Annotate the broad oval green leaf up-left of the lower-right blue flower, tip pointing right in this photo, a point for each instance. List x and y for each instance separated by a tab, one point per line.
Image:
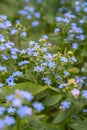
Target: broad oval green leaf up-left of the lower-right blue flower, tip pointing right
52	100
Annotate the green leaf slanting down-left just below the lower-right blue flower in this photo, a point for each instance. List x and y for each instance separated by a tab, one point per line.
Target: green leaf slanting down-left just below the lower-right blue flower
62	115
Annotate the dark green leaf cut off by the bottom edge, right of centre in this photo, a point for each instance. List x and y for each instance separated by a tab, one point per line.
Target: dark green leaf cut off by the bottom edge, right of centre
48	126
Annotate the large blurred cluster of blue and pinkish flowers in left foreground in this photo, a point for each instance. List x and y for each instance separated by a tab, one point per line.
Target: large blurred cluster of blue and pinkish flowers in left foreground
18	107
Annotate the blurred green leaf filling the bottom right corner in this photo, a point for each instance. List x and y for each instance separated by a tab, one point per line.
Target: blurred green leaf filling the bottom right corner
79	125
